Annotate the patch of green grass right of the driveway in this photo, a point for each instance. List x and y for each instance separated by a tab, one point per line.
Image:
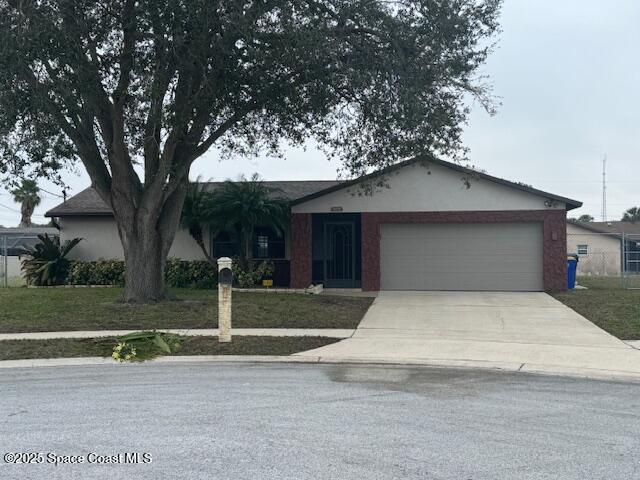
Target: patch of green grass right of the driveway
607	305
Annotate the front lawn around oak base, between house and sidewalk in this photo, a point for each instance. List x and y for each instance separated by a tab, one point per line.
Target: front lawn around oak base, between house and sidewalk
59	309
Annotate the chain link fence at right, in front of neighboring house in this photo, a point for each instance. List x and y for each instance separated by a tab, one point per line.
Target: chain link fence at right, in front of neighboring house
611	255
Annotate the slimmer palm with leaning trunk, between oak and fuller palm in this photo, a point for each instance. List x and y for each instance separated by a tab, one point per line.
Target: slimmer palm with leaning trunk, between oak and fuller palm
196	214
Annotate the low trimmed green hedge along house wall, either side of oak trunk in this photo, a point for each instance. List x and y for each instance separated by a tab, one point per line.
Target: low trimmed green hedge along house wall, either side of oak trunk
178	273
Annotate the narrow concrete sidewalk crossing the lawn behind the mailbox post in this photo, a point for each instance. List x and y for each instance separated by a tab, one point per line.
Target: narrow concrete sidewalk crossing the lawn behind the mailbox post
205	332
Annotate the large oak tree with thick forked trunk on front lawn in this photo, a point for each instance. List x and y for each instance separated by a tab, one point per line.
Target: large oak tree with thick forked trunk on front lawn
136	90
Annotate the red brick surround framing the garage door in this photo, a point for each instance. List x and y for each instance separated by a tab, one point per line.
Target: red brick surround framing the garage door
554	238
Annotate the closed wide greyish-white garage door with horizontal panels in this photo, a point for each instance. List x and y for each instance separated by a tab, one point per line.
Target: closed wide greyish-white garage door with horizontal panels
491	257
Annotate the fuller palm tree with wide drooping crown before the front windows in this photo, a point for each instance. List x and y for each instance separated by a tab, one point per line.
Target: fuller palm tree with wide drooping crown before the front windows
244	205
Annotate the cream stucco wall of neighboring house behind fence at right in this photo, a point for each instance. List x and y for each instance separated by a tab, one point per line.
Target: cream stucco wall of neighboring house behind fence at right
604	255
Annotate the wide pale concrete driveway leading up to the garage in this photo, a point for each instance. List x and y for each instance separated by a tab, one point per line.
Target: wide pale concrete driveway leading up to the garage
514	331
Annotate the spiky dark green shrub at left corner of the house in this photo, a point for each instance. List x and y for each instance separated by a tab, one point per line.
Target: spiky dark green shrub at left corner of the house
46	263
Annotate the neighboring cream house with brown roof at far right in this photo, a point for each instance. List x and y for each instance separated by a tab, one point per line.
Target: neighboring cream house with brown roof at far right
600	247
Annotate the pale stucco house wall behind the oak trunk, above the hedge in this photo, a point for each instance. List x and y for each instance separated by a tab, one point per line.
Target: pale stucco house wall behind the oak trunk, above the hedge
101	240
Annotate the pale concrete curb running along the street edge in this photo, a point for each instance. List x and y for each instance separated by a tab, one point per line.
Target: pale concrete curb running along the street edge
530	369
